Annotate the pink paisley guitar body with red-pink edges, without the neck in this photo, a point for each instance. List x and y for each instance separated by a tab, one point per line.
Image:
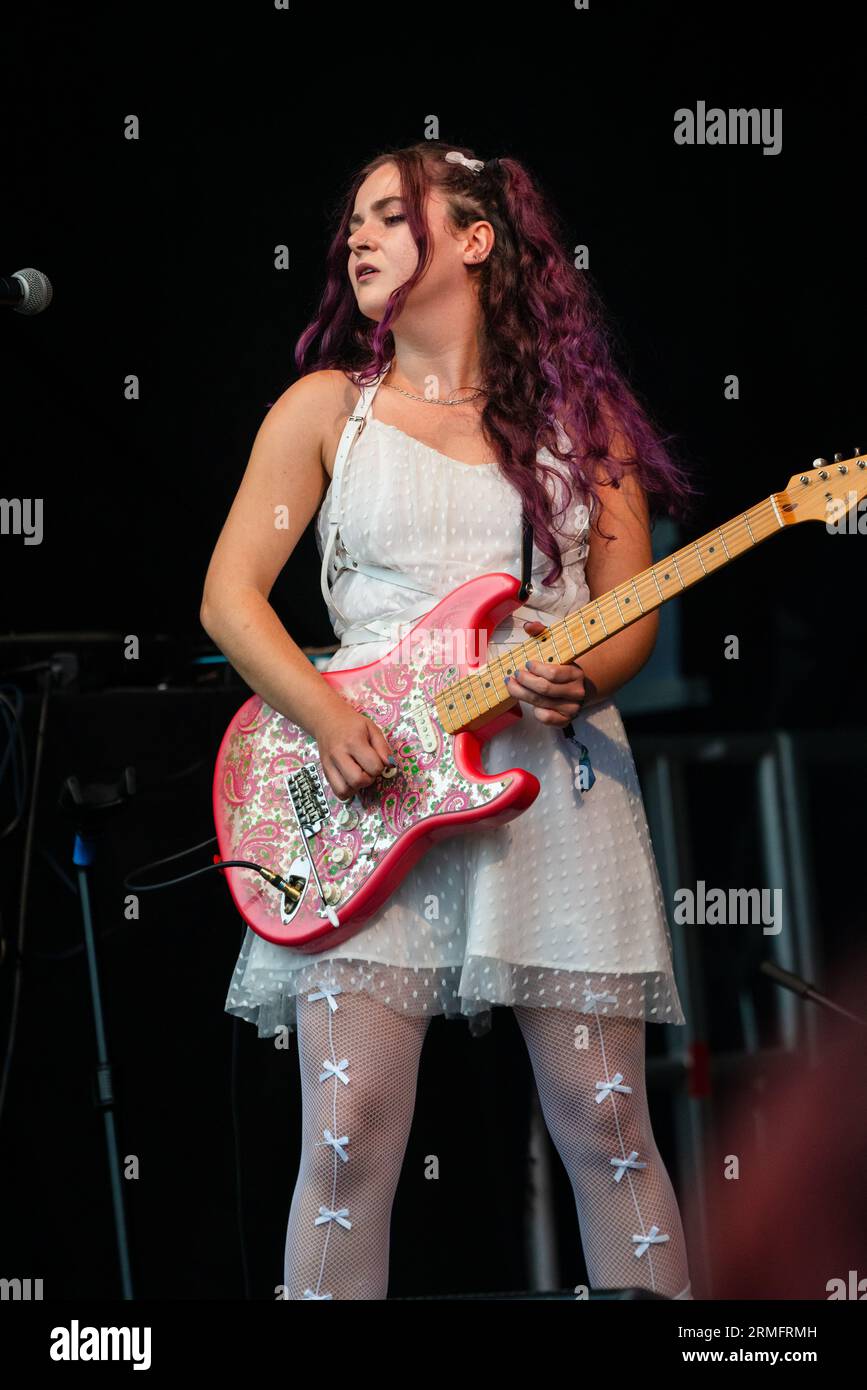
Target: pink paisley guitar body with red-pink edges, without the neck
273	803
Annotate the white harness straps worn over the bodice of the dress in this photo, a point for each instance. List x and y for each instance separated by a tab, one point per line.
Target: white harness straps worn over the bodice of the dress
337	558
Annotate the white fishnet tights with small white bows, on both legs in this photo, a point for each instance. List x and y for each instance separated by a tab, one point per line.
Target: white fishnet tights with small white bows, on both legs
359	1068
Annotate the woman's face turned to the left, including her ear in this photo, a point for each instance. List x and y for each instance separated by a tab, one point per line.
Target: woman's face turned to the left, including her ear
380	237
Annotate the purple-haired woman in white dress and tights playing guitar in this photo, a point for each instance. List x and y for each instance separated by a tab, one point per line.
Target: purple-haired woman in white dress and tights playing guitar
452	301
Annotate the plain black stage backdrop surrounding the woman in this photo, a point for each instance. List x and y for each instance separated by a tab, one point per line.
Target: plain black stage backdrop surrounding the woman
712	261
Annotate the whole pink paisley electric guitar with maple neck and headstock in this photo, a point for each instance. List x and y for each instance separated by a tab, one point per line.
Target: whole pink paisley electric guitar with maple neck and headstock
308	871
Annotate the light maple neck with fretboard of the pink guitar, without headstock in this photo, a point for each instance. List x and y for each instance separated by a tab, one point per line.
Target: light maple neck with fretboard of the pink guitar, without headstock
483	696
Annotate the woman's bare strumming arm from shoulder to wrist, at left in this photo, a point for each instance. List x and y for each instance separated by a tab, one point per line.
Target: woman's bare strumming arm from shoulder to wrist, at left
280	494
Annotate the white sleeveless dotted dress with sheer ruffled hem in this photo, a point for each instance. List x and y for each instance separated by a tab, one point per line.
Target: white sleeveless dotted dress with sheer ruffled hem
562	907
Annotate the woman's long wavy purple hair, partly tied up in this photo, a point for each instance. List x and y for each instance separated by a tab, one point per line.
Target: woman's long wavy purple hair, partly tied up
547	348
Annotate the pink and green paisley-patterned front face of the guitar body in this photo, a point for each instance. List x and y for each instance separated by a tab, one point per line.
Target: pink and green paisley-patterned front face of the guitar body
255	812
